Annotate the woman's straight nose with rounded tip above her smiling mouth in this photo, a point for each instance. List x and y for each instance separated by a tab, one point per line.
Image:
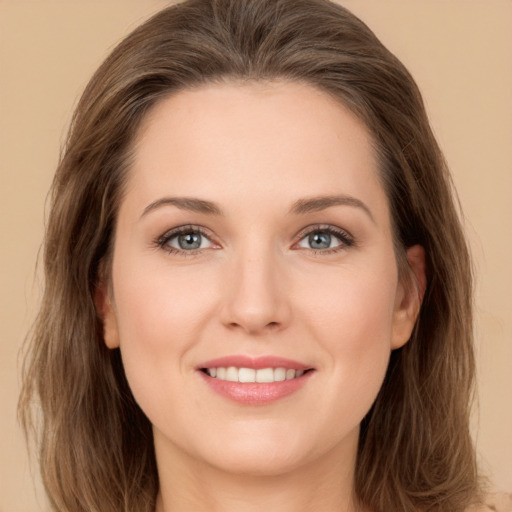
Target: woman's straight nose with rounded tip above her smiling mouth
255	298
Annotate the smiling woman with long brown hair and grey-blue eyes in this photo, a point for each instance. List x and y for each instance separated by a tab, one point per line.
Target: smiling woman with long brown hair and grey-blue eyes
258	290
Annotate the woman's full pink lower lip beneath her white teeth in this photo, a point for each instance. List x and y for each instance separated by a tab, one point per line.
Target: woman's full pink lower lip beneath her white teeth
254	393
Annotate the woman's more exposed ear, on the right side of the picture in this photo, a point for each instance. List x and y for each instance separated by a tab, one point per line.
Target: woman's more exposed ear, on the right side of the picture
409	297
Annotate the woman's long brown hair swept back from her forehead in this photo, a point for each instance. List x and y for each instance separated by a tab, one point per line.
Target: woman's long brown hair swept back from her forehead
95	444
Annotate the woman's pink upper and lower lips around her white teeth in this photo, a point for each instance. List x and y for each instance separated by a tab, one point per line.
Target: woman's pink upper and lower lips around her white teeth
255	393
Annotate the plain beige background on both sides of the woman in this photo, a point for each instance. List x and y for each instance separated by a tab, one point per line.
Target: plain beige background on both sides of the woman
460	52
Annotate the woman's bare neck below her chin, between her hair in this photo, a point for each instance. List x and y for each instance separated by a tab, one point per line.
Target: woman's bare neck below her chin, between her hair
187	485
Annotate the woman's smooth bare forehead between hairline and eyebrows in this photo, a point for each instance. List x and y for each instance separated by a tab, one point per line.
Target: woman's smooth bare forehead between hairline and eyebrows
254	140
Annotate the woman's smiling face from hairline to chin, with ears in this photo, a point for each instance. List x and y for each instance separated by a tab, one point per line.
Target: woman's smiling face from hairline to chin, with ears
255	234
